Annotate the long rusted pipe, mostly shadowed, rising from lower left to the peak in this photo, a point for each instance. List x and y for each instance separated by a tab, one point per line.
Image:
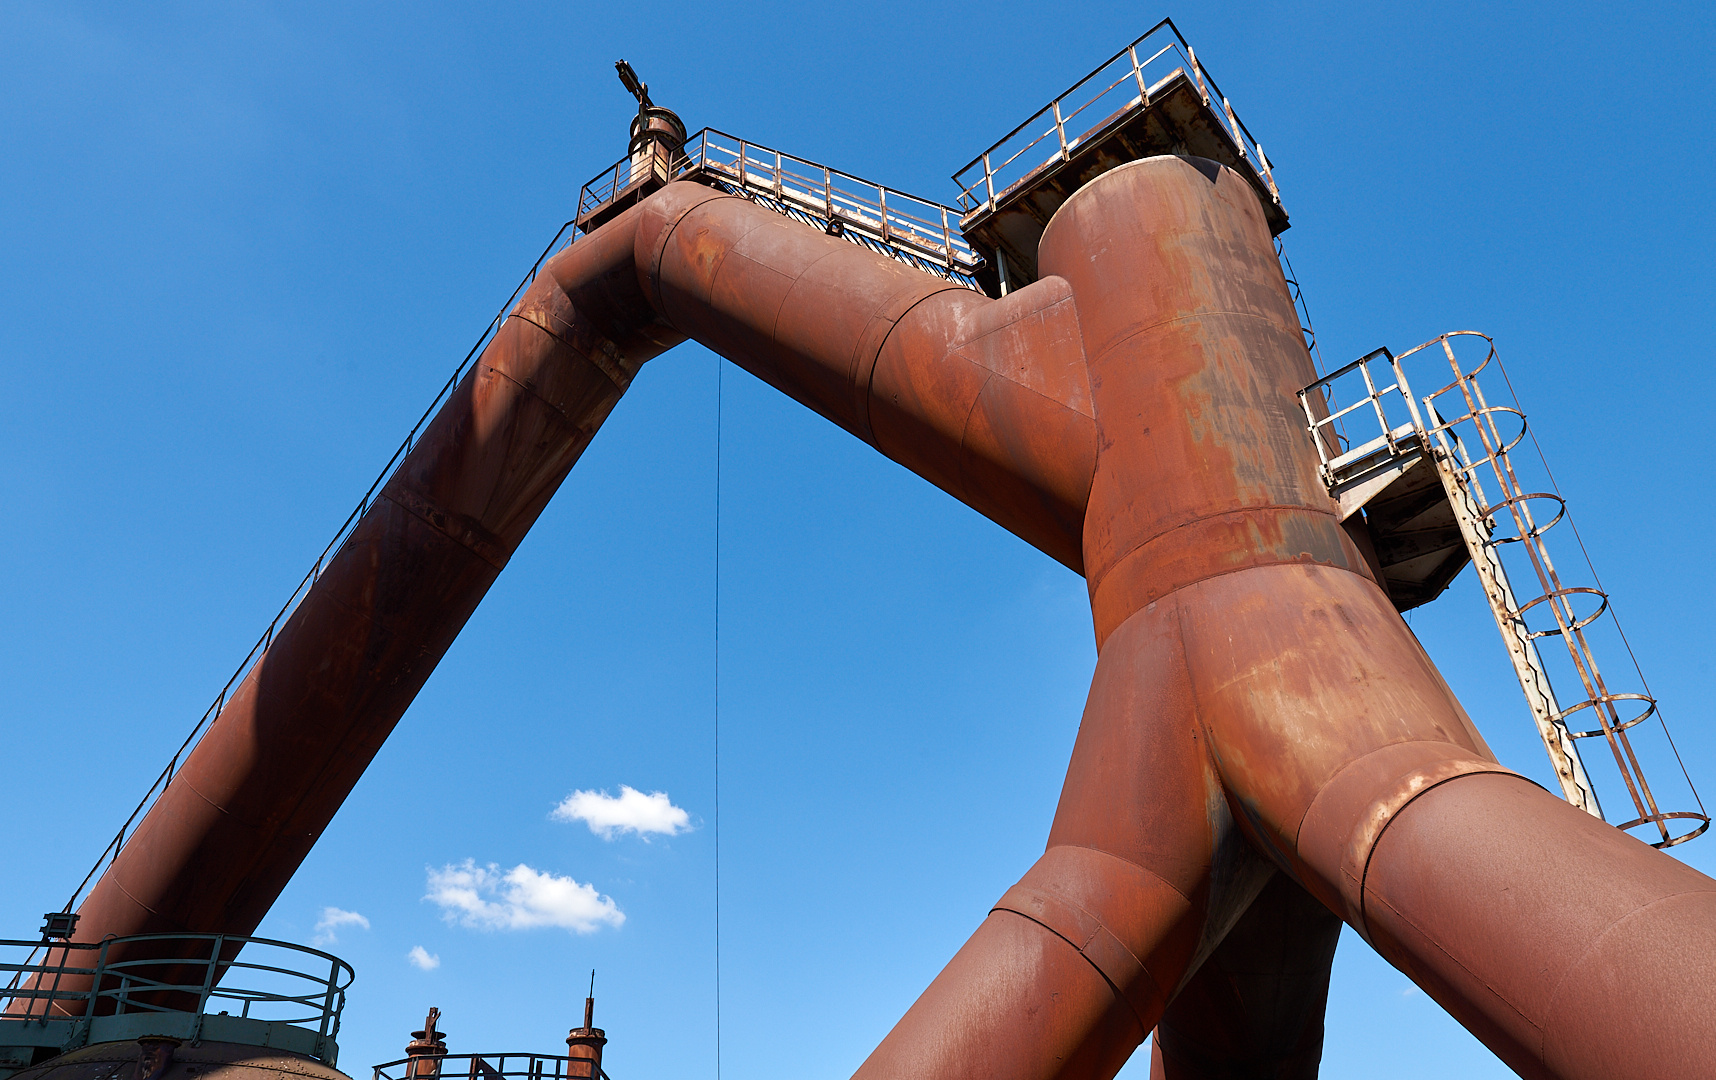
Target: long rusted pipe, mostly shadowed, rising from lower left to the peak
269	775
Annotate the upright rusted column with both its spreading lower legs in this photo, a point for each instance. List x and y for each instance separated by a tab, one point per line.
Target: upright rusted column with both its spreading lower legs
1255	683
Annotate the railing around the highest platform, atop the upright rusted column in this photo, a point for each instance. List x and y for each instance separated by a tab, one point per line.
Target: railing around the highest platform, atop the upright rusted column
1132	78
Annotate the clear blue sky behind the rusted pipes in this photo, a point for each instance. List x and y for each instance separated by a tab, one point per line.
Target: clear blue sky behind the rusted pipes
241	246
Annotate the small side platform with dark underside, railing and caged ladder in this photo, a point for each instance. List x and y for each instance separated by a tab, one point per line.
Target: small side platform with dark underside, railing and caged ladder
1434	485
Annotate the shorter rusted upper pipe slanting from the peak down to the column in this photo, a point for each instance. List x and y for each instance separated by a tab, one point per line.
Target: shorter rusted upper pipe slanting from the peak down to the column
984	399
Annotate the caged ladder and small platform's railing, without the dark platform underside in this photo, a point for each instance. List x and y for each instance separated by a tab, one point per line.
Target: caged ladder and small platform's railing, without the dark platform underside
1471	442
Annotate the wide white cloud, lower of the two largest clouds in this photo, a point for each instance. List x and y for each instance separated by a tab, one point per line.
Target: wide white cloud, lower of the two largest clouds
521	899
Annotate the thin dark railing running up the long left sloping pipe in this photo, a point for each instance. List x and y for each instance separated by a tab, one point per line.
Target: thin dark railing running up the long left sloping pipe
562	240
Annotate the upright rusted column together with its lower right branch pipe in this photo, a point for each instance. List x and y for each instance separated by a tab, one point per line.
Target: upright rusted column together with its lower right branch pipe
1339	746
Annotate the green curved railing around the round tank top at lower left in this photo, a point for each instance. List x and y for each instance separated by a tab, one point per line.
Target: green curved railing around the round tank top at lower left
255	978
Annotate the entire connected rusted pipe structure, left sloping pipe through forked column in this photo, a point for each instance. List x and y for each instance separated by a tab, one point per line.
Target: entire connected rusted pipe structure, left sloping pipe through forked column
1266	755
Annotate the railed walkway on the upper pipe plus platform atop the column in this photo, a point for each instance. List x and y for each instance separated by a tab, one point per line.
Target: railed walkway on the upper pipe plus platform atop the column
1151	99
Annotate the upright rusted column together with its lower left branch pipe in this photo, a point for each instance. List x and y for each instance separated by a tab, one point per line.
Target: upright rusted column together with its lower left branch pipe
1193	360
